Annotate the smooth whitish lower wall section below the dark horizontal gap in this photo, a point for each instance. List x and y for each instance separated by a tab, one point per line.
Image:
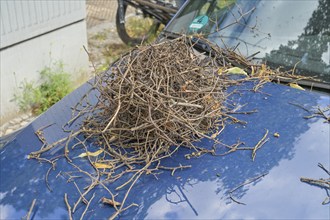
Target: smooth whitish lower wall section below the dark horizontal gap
25	60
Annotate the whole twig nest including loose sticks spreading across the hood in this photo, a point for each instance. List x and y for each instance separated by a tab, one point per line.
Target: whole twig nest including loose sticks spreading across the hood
150	103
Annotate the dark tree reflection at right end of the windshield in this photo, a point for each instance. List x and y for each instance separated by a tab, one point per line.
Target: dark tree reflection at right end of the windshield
310	51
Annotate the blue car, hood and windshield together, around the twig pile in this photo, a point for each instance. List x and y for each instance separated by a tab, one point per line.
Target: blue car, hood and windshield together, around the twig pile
288	177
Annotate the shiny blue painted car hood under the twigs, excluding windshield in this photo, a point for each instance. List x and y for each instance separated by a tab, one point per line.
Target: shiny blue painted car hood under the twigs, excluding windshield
201	191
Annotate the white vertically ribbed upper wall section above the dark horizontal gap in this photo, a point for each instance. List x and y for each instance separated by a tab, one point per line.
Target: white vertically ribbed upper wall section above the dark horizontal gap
23	19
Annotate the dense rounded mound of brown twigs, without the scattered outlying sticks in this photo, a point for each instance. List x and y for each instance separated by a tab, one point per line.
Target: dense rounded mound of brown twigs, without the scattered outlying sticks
158	96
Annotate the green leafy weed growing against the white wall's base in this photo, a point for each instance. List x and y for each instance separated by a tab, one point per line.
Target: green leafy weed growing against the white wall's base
53	86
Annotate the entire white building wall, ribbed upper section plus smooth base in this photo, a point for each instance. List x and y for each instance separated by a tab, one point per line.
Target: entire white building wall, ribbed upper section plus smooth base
35	34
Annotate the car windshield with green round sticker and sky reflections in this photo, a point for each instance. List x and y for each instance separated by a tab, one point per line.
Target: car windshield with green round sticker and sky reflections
290	34
